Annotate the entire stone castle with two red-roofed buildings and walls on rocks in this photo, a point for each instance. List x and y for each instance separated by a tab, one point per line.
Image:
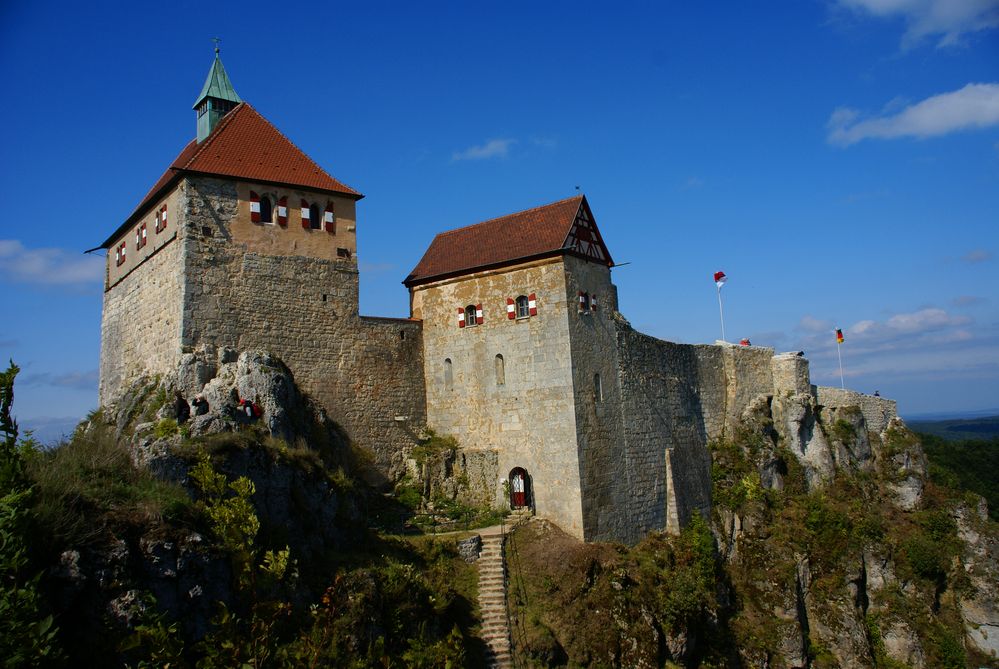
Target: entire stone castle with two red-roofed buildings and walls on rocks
514	345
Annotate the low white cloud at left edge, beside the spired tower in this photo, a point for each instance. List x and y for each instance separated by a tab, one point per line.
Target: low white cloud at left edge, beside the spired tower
48	266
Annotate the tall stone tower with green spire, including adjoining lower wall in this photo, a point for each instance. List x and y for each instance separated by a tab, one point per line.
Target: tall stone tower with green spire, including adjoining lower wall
244	242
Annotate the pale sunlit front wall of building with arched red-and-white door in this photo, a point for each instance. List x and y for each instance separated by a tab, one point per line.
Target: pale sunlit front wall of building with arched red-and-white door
529	418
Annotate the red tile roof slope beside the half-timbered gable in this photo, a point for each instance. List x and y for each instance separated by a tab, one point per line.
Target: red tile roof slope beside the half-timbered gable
515	237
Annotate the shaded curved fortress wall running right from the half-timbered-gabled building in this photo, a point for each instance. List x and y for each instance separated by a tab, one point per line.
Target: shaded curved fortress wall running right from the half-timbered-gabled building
674	399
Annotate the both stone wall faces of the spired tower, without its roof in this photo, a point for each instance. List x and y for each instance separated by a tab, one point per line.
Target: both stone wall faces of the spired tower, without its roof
220	281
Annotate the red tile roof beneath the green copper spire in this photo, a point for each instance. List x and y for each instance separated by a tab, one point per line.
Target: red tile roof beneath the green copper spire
245	146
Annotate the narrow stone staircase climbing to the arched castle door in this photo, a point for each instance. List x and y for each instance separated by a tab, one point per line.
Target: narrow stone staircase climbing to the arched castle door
492	601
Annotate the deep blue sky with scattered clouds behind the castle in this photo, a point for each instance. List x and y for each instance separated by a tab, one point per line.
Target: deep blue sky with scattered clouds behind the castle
838	159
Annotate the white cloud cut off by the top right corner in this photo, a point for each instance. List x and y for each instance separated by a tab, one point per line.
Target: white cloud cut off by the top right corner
950	19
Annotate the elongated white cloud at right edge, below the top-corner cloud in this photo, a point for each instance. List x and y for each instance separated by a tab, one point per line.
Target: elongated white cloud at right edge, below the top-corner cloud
974	106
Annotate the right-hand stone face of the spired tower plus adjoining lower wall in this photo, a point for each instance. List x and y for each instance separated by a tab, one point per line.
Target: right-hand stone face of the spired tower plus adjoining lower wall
366	372
